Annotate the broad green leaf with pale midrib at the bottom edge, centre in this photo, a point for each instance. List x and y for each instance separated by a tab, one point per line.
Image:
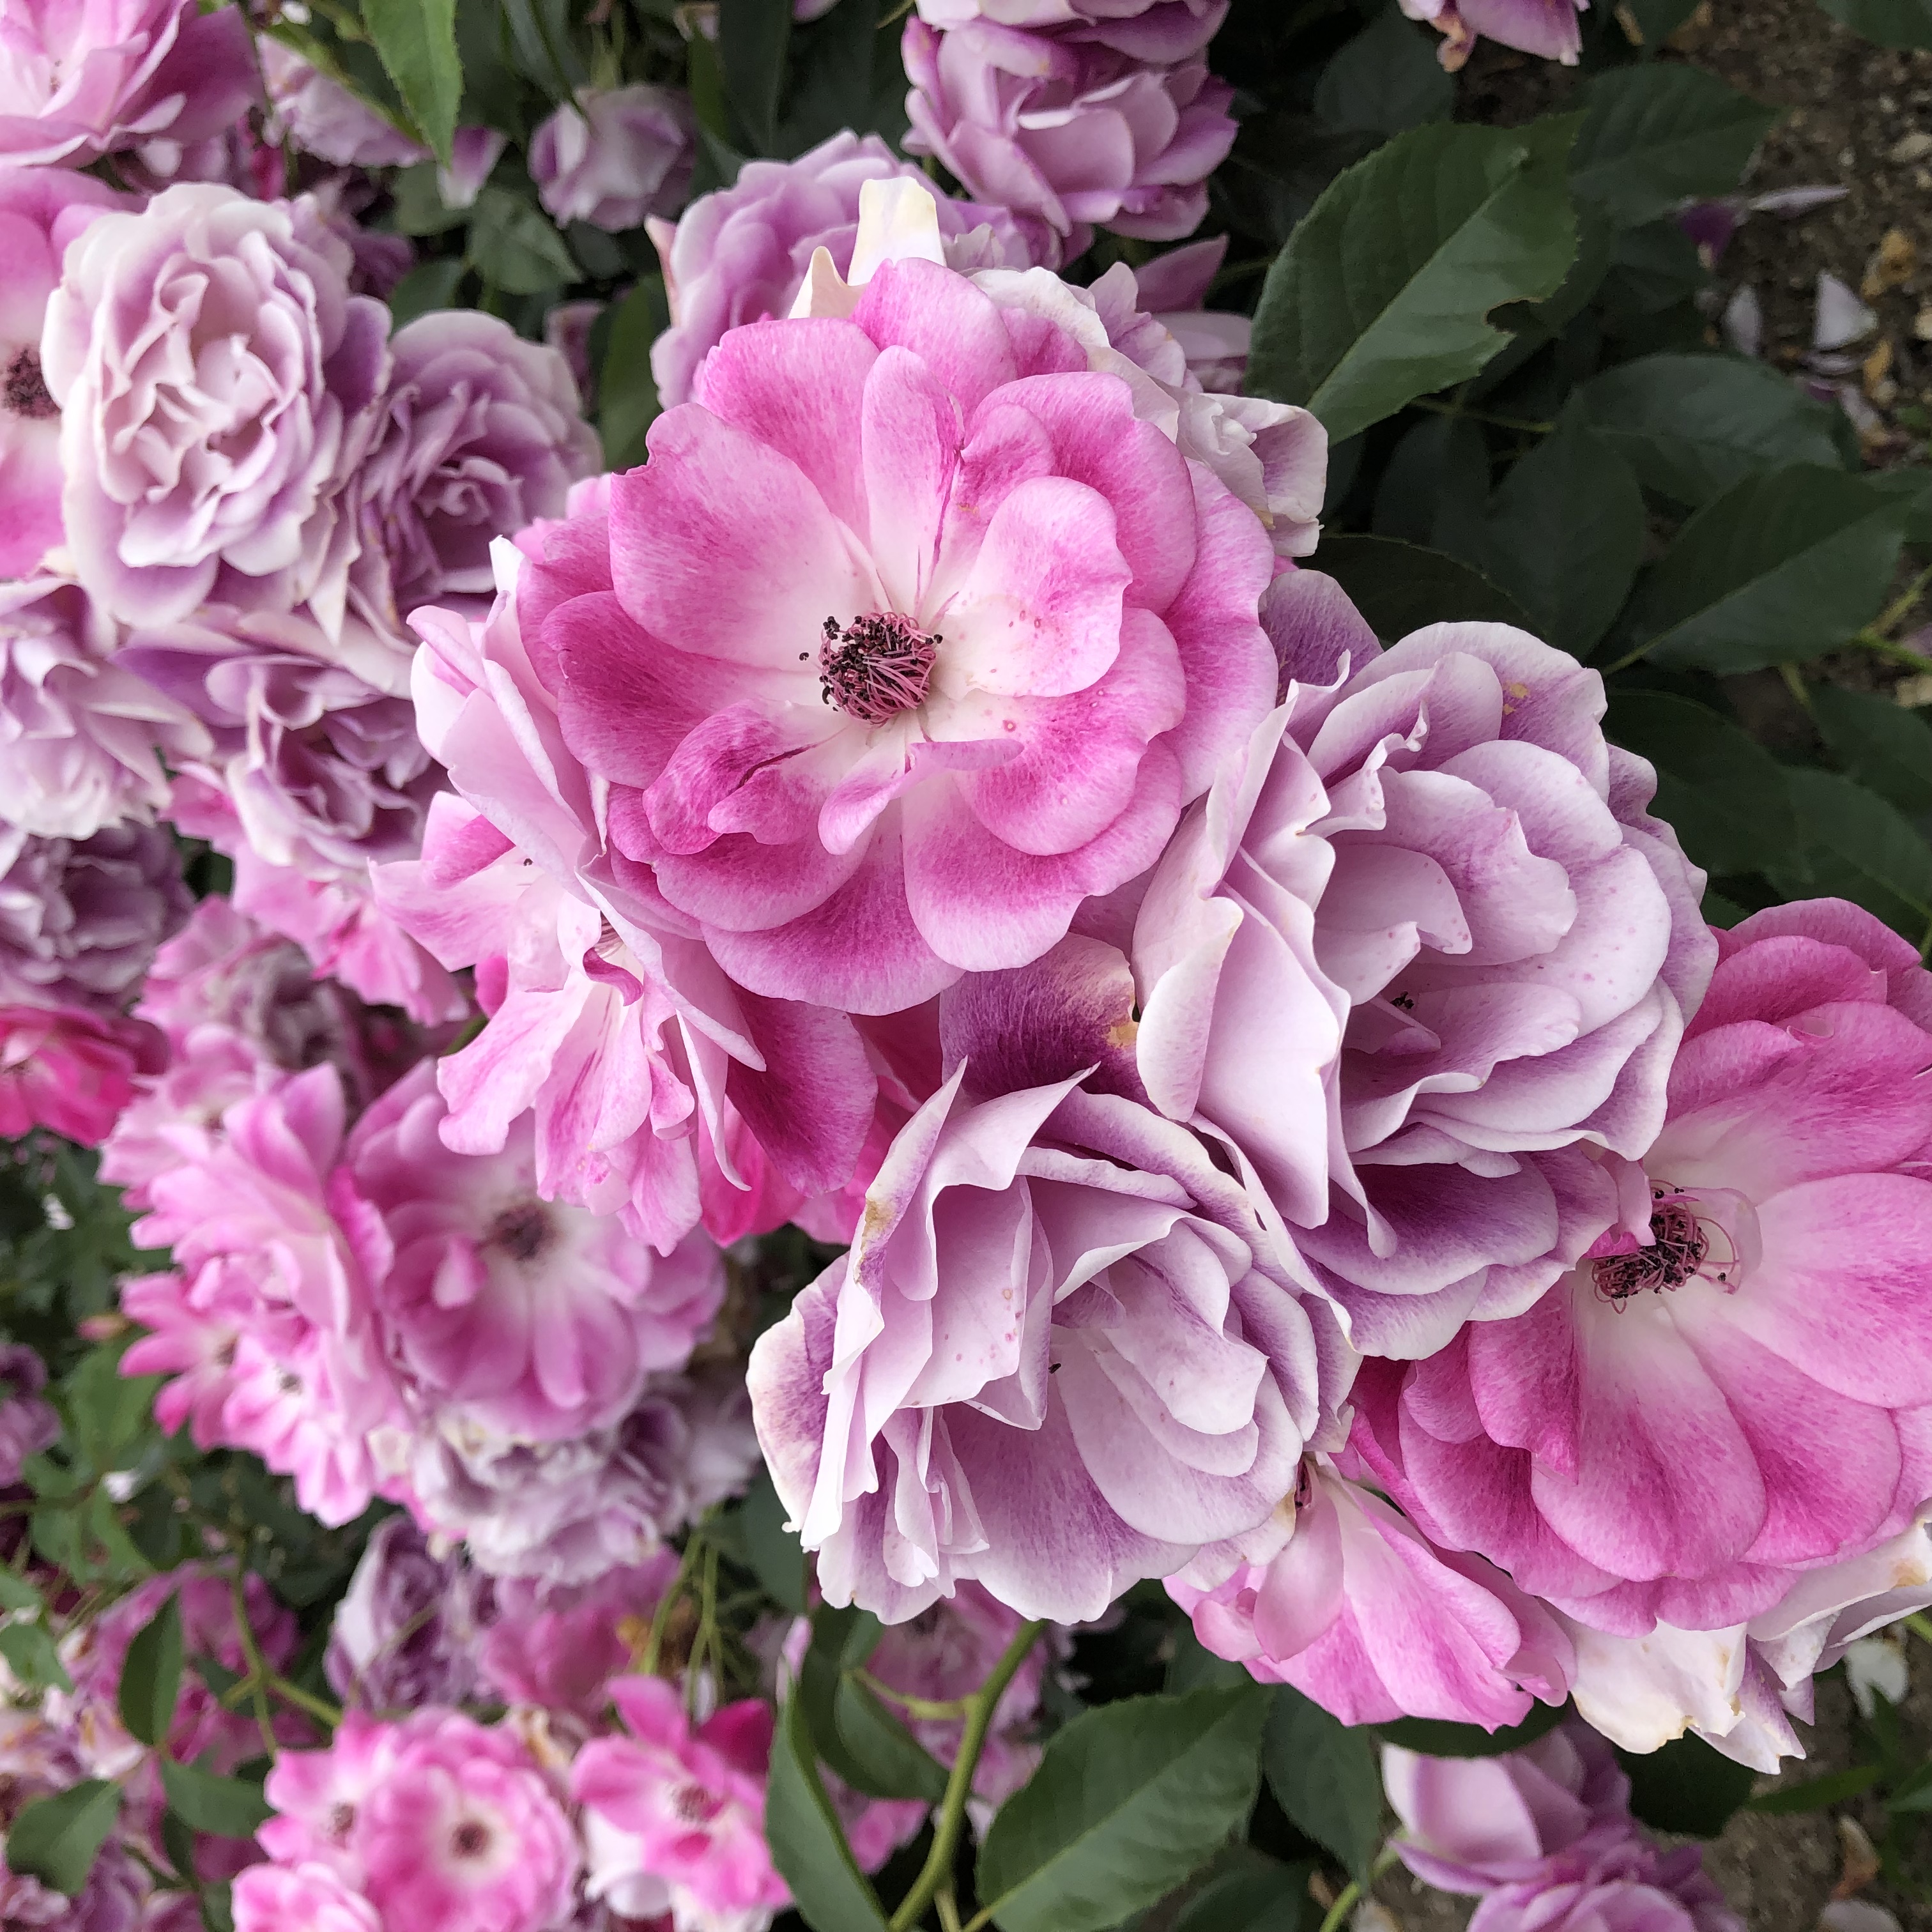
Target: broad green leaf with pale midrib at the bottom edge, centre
1127	1802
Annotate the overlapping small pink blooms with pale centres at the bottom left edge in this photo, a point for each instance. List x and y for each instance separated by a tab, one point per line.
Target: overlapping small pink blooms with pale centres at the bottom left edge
440	1823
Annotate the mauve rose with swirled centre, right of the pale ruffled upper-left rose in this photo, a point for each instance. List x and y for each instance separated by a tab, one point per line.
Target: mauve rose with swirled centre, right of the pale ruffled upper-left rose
480	436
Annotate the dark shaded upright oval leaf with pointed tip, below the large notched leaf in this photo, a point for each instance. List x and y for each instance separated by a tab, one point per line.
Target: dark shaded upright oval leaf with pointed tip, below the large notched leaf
1564	536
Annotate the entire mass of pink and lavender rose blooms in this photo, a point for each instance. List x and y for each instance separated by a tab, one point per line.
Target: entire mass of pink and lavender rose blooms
1253	1110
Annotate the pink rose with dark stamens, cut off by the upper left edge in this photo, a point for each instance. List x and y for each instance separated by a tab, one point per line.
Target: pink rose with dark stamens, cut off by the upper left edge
42	212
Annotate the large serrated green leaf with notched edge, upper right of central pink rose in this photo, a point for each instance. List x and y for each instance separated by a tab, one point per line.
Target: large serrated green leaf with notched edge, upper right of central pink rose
1380	295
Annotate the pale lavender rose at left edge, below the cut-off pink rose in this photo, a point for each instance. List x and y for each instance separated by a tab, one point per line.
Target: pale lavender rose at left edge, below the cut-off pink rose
82	737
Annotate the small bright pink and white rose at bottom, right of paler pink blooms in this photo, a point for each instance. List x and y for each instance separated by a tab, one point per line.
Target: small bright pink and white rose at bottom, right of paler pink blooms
675	1819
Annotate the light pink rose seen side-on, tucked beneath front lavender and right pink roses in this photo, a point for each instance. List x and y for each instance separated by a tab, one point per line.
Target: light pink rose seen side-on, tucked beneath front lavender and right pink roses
1340	1597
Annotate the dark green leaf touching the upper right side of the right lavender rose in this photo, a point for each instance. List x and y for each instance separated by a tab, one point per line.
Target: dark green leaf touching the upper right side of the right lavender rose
1719	787
